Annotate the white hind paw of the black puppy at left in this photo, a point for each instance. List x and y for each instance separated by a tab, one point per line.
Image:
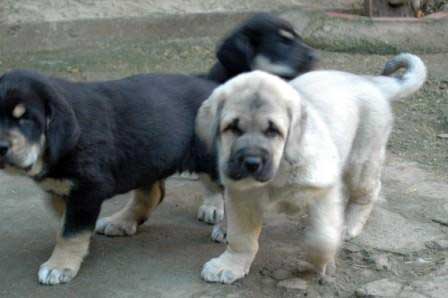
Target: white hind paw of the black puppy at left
115	226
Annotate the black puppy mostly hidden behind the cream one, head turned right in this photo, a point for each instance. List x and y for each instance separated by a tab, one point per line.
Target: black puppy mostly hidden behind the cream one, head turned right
263	42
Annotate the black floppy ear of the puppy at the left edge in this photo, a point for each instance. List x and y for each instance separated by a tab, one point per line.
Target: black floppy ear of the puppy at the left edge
62	133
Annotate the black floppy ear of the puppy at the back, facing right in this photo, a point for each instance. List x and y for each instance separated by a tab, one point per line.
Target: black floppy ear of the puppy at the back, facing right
236	53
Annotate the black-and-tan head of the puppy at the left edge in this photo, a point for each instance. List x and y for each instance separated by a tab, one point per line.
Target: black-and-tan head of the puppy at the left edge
36	124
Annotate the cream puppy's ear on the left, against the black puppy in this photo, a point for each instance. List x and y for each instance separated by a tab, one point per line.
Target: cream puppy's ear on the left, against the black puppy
207	121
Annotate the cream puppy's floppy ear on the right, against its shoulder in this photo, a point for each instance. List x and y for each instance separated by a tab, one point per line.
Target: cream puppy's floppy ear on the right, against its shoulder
297	115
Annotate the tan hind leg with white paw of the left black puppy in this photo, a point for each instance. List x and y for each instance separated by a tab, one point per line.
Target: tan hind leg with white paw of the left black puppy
135	213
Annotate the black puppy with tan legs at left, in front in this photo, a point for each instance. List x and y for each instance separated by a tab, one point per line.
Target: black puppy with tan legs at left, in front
86	142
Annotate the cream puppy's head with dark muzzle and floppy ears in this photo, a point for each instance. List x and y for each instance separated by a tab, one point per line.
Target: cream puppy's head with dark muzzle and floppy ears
249	121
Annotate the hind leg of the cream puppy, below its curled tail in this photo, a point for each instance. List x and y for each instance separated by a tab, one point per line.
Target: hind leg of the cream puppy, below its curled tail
364	185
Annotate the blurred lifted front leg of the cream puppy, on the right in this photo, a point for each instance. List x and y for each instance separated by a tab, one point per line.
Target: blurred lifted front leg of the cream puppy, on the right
323	236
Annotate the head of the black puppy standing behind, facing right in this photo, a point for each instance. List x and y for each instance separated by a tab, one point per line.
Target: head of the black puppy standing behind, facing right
266	42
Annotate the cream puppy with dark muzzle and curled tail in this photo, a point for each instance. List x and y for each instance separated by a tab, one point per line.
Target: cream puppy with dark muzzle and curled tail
299	145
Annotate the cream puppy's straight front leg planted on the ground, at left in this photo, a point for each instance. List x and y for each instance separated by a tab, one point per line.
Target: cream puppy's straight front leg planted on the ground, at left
244	221
